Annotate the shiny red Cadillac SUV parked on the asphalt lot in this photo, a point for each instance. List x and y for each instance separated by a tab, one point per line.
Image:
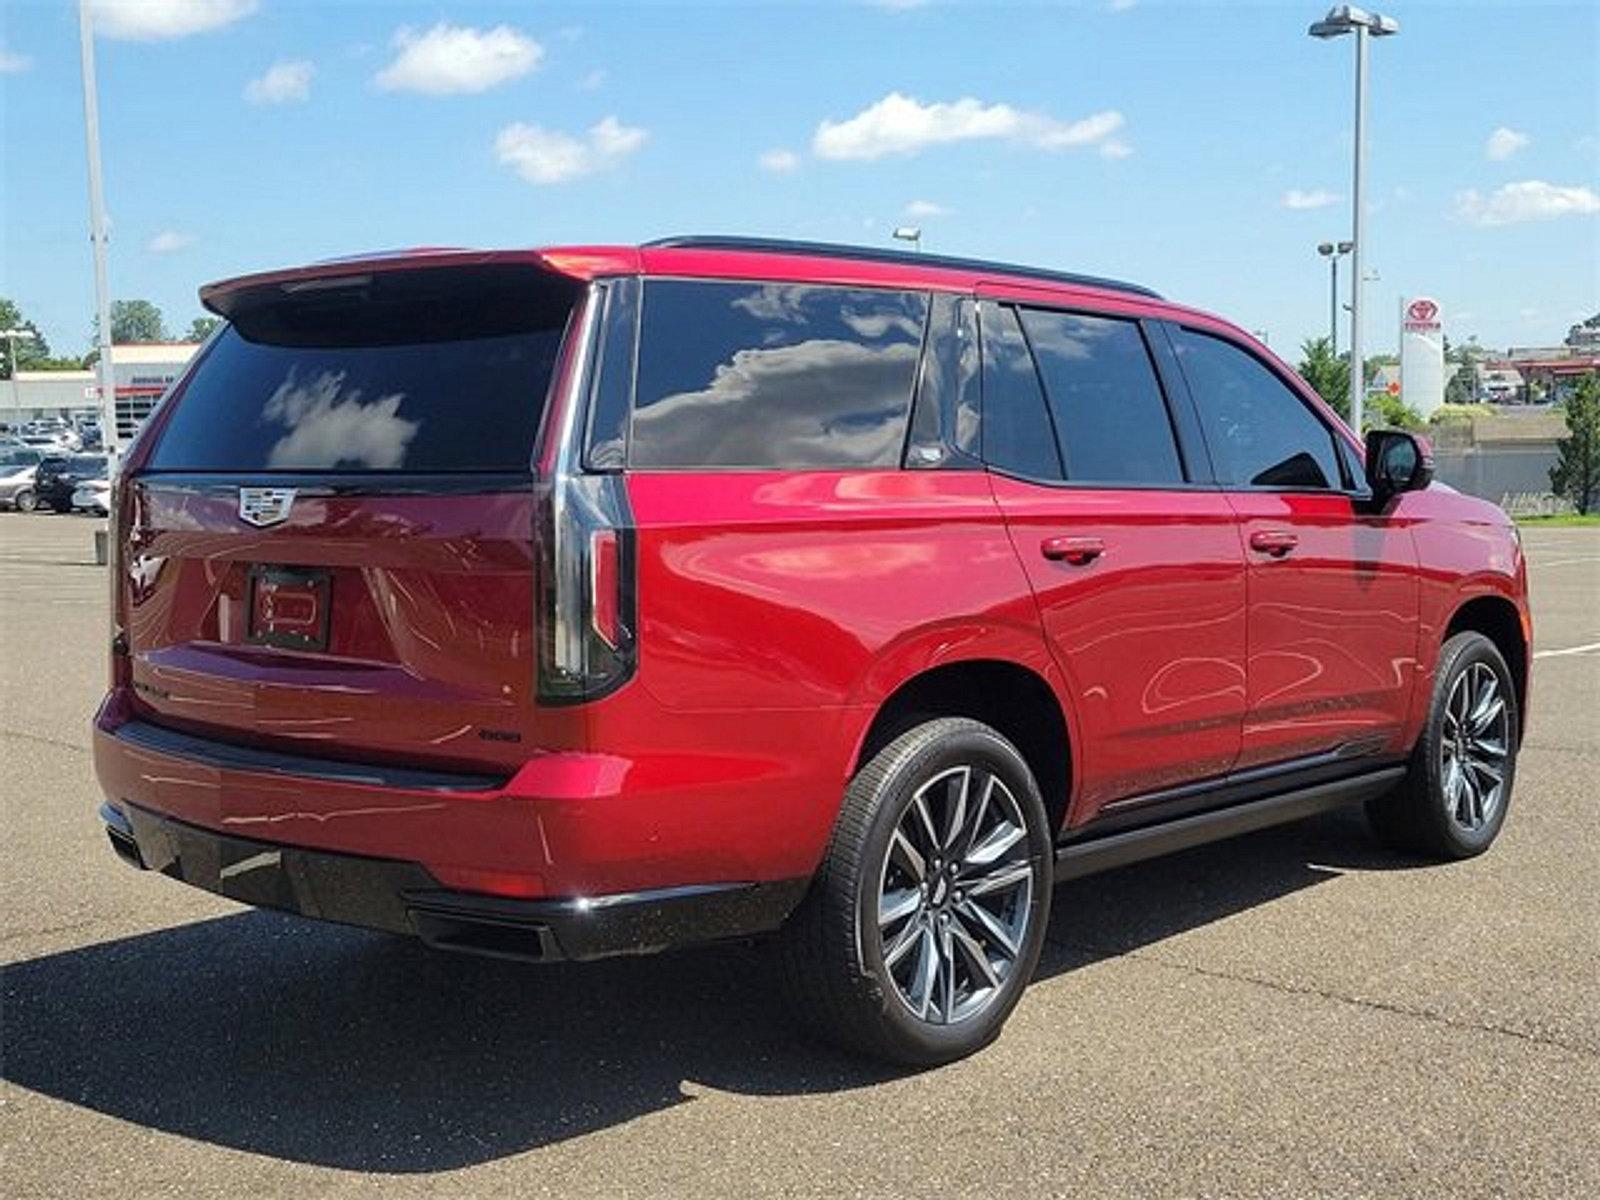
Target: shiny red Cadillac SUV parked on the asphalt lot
559	604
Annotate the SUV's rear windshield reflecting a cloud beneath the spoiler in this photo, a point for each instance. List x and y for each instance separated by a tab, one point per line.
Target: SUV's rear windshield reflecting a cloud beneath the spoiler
412	372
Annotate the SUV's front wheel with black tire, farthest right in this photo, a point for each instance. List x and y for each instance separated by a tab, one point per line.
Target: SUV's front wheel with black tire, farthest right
1417	815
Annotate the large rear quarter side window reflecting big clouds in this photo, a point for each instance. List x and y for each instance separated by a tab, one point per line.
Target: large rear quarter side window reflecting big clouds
774	375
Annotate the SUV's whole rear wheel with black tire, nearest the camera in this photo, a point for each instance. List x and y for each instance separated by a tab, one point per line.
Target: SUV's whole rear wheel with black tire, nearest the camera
833	951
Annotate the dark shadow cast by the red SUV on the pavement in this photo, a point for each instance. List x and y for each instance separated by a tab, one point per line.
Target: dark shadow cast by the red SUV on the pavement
362	1052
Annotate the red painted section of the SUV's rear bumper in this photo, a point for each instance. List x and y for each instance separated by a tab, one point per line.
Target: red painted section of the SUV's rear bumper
564	825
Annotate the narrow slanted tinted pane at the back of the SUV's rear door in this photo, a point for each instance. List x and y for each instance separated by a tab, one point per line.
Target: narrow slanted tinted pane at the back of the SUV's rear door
1017	431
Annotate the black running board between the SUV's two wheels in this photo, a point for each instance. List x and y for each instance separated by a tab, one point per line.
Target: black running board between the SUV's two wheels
1118	850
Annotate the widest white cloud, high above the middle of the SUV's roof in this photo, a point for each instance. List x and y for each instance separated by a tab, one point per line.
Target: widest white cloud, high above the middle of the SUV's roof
905	126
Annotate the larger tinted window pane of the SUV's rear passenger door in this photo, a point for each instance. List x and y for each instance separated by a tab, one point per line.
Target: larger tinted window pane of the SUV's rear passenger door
1106	399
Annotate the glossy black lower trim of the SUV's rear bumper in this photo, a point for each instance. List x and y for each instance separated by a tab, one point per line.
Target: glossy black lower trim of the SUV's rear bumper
406	898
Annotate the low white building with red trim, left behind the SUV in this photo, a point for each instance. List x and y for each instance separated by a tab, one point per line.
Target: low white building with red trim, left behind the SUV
143	372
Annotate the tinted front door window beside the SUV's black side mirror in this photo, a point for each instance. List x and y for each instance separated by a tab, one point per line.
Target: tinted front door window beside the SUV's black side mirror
1262	434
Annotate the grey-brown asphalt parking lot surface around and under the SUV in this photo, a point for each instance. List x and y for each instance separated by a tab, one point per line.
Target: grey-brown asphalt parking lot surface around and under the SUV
1294	1014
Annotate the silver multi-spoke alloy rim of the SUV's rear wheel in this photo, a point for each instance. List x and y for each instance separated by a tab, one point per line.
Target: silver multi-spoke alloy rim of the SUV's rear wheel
956	895
